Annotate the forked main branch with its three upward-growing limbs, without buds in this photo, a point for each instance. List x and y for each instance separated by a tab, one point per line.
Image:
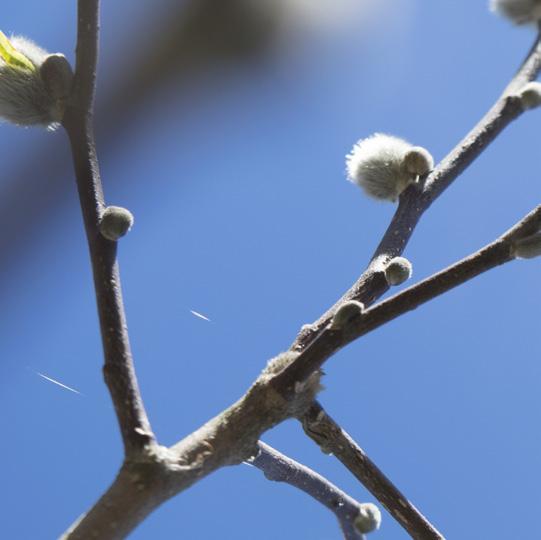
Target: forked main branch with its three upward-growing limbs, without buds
152	474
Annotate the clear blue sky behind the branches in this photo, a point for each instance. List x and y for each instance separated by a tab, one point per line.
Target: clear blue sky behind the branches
243	214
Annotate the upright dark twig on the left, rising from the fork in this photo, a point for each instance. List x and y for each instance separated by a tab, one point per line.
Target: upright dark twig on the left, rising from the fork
118	368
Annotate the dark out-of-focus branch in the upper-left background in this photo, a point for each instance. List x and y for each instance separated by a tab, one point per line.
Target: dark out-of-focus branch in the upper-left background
190	38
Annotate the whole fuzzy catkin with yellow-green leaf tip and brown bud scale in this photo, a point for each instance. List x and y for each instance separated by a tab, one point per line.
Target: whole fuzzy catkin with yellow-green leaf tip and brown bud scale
33	84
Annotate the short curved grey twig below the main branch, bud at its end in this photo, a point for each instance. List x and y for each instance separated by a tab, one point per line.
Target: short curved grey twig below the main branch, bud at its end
280	468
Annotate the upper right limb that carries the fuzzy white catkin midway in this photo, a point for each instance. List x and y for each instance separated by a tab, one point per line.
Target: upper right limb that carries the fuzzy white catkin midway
413	203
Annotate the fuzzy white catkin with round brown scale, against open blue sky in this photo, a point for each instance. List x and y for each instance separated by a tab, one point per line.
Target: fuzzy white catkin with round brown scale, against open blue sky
378	165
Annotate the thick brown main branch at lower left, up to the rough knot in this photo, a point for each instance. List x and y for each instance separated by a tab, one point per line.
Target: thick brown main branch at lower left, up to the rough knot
156	474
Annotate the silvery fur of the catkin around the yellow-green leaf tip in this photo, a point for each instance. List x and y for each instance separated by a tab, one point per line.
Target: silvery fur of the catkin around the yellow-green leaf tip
24	97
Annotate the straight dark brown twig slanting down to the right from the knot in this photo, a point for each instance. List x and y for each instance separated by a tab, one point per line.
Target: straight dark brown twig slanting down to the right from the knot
319	426
